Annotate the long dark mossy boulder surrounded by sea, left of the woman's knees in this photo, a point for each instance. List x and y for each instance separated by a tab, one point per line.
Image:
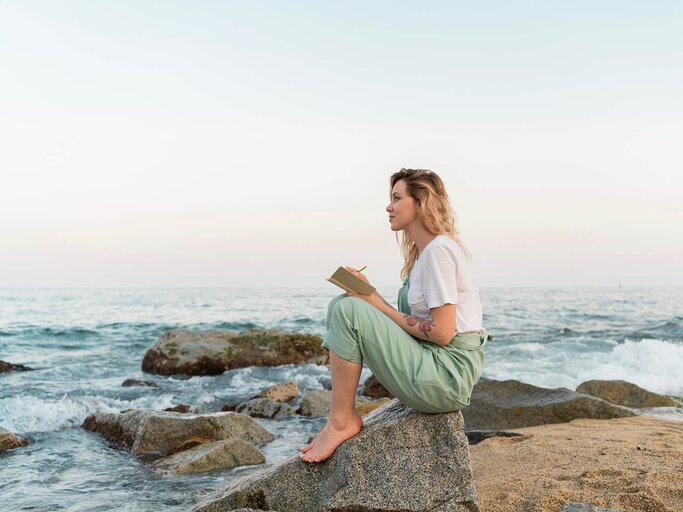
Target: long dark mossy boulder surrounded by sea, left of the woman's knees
213	352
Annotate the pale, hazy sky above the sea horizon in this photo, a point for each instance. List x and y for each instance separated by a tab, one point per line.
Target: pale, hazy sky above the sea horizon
228	143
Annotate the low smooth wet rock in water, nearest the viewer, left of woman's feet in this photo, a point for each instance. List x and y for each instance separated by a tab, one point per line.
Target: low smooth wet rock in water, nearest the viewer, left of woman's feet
210	457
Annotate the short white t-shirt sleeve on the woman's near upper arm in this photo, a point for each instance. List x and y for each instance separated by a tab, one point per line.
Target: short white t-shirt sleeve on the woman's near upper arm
439	277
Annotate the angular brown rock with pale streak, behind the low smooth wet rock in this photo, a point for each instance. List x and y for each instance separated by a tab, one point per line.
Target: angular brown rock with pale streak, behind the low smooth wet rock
154	433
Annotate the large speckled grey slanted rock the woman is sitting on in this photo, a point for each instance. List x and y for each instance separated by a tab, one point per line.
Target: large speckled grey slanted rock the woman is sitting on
402	460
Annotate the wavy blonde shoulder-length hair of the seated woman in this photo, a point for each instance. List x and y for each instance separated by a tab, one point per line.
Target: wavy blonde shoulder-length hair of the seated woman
435	212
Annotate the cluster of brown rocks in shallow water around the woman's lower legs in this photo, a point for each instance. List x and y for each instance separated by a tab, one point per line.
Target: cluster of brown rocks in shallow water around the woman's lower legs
178	441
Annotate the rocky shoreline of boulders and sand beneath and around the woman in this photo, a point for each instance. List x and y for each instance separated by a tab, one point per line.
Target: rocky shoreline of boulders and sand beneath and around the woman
515	447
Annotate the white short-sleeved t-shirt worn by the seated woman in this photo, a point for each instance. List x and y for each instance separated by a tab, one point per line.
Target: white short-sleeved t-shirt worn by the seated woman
441	275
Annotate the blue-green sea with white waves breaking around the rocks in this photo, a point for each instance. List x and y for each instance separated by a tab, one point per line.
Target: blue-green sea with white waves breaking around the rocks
83	343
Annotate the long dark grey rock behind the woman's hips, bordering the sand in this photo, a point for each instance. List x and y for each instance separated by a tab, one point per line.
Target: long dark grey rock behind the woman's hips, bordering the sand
512	404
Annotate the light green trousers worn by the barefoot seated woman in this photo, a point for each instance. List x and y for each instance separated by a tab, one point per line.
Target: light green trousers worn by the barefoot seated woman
421	374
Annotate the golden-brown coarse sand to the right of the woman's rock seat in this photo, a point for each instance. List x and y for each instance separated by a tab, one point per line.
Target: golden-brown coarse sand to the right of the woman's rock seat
633	464
